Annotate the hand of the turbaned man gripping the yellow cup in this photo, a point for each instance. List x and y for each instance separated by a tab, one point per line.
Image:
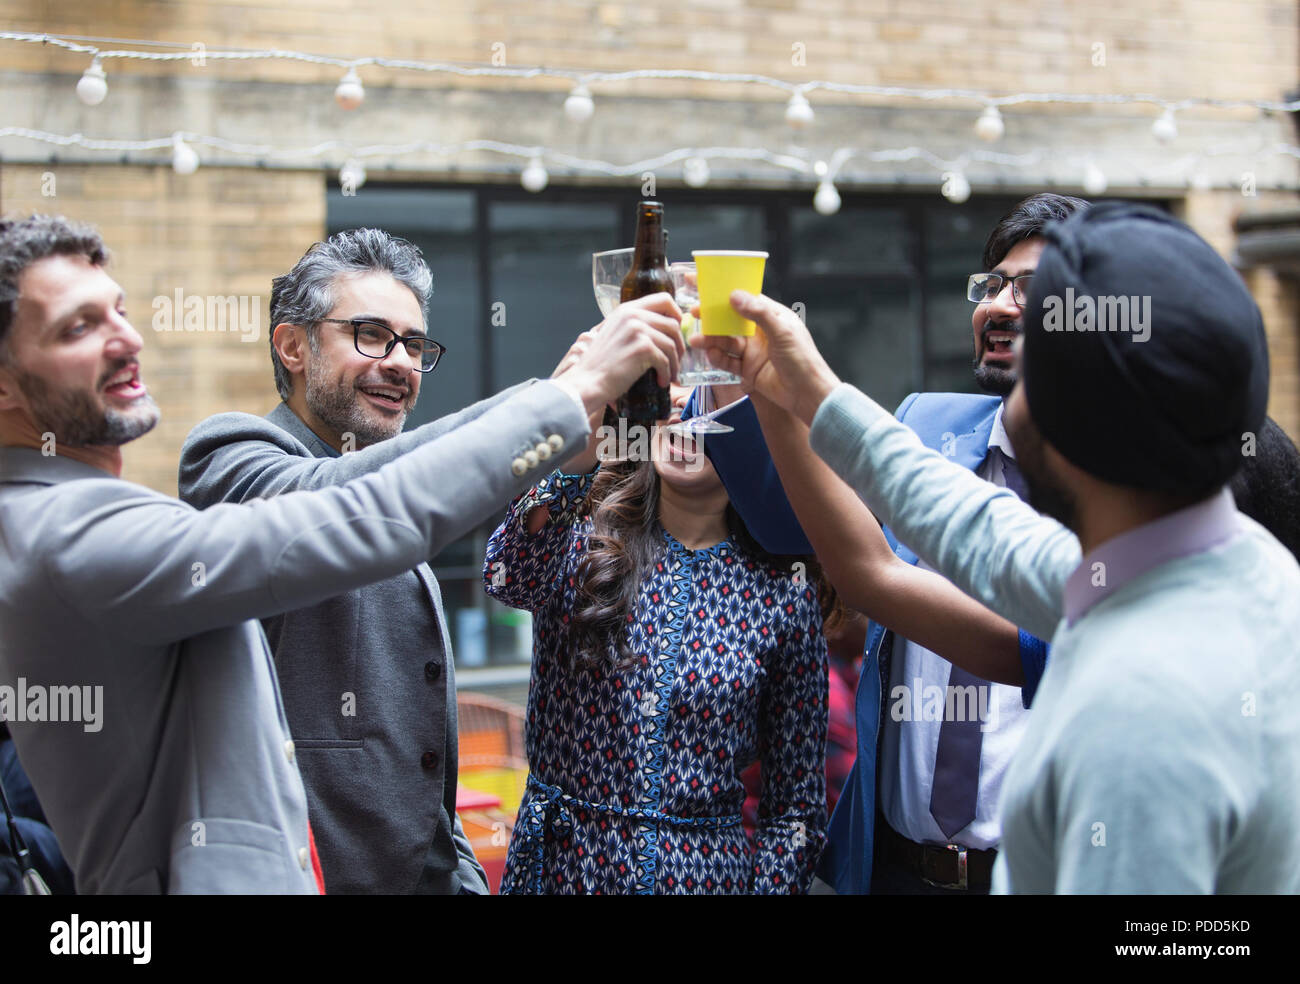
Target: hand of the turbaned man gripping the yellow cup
779	362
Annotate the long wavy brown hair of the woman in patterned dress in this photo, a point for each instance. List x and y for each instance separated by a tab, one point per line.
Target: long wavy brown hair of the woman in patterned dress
625	541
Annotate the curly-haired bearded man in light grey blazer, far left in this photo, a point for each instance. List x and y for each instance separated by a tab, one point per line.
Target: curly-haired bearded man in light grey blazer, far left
187	778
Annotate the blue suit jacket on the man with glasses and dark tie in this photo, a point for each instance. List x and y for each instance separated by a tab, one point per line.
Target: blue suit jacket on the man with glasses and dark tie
955	424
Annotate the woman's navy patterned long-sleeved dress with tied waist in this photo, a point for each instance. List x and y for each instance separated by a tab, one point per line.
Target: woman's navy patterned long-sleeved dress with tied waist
635	775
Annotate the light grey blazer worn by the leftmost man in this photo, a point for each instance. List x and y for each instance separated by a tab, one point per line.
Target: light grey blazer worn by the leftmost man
190	781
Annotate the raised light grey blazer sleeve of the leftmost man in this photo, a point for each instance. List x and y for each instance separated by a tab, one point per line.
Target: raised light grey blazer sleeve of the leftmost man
155	571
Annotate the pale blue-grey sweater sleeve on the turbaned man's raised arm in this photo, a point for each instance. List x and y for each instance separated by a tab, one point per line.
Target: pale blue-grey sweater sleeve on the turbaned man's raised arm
982	539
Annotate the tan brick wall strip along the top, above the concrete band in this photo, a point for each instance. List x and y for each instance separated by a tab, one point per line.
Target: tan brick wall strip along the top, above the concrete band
1221	49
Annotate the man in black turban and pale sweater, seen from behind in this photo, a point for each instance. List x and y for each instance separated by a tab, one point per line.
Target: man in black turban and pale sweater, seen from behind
1164	752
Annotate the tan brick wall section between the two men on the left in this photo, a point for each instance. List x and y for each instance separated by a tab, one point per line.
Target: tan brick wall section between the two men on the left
220	232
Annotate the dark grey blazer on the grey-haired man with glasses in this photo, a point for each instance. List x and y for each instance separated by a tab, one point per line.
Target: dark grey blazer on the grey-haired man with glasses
369	677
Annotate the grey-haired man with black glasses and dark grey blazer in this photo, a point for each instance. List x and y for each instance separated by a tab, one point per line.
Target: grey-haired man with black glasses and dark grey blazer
367	675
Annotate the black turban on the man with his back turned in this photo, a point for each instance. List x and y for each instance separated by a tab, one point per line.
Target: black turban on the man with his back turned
1145	358
